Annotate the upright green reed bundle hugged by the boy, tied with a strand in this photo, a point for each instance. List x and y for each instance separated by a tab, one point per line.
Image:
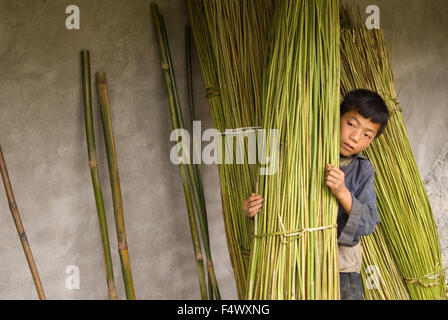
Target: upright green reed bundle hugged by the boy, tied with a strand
294	252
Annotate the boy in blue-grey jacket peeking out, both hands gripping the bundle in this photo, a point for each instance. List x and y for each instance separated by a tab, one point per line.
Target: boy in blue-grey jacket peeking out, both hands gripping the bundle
364	117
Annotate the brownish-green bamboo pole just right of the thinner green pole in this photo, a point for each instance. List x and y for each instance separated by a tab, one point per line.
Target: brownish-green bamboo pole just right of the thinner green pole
103	98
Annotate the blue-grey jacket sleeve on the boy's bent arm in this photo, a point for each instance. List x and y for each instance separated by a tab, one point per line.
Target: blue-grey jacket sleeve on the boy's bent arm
364	214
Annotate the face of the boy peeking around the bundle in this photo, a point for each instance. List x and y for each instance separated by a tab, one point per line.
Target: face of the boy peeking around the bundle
357	133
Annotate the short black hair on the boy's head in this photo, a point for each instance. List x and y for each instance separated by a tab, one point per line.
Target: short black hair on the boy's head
368	104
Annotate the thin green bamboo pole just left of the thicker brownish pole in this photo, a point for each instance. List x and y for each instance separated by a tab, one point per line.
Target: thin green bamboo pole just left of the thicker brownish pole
93	164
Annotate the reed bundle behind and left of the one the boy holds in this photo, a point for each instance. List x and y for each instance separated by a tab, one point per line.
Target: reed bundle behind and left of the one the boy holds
231	40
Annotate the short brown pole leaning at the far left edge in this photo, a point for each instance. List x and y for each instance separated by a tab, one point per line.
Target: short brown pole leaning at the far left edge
19	226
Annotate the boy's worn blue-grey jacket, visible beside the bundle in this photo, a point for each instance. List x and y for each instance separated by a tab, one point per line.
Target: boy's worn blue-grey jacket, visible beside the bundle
359	180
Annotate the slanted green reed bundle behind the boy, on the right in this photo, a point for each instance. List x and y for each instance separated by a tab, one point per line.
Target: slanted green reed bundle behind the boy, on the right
407	221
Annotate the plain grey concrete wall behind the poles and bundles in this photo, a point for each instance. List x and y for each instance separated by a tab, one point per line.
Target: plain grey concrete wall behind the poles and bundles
43	138
